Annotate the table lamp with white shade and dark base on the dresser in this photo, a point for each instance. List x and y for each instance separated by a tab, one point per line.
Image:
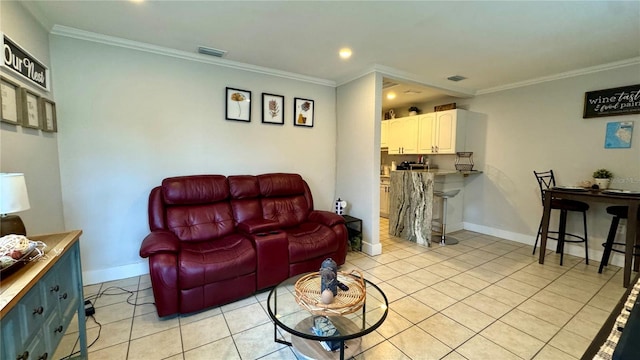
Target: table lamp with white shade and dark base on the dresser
13	198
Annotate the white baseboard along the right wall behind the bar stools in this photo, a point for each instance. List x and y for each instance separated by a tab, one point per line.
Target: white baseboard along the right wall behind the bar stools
595	244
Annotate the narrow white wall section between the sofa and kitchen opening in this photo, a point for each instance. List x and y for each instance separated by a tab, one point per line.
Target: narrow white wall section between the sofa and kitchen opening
358	161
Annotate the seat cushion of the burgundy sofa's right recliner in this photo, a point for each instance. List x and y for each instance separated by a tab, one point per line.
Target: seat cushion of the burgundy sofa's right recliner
309	241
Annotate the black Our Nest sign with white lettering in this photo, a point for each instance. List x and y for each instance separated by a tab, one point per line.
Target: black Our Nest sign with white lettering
23	63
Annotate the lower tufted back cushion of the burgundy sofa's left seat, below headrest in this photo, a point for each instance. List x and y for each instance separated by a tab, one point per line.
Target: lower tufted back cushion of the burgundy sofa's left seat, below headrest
200	222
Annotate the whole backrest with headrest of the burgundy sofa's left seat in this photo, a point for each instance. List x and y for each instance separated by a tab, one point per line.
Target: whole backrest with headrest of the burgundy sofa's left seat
197	207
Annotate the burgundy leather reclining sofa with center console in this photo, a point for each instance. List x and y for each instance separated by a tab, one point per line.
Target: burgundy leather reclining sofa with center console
215	239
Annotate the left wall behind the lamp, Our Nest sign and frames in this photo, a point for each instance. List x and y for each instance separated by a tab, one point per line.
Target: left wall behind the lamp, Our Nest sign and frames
31	151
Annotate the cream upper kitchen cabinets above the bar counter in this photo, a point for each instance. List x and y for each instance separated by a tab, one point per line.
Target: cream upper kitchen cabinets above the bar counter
441	132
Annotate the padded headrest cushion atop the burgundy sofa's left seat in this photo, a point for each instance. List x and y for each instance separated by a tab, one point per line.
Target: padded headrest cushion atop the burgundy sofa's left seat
196	189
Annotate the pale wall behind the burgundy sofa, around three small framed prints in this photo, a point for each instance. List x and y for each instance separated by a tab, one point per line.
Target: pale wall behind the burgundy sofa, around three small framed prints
128	119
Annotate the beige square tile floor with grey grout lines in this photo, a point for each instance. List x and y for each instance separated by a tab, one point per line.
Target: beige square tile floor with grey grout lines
484	298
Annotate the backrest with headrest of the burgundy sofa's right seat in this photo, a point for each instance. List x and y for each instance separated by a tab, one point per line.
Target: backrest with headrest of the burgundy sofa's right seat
285	198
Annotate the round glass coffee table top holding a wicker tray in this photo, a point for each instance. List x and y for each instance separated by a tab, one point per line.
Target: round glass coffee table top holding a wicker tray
297	320
